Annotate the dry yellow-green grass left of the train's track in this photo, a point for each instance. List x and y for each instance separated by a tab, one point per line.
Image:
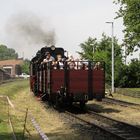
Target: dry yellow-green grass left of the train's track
50	122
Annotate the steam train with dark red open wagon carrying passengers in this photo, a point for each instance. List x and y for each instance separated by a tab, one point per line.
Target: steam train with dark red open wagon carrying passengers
65	86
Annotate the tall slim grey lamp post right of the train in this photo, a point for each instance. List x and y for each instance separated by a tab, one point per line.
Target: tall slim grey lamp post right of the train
112	23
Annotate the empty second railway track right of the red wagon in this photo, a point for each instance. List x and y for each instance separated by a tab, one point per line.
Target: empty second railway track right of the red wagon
121	103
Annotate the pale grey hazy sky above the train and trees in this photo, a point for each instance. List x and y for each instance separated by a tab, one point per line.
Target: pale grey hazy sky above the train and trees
72	22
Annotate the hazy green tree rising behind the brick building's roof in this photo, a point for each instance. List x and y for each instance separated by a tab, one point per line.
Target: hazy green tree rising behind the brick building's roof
7	53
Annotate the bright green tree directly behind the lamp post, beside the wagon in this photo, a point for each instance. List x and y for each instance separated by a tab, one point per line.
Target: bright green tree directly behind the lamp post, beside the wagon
101	51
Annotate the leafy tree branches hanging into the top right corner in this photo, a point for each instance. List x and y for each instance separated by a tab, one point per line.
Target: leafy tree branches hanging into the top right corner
130	12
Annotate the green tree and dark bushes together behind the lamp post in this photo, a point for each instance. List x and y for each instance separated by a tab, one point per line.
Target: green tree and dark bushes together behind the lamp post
125	75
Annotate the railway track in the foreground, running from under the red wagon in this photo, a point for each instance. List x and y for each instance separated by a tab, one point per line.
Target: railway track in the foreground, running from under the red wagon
117	129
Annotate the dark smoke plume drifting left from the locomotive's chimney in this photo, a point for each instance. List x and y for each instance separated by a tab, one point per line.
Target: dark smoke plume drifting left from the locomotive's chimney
31	28
